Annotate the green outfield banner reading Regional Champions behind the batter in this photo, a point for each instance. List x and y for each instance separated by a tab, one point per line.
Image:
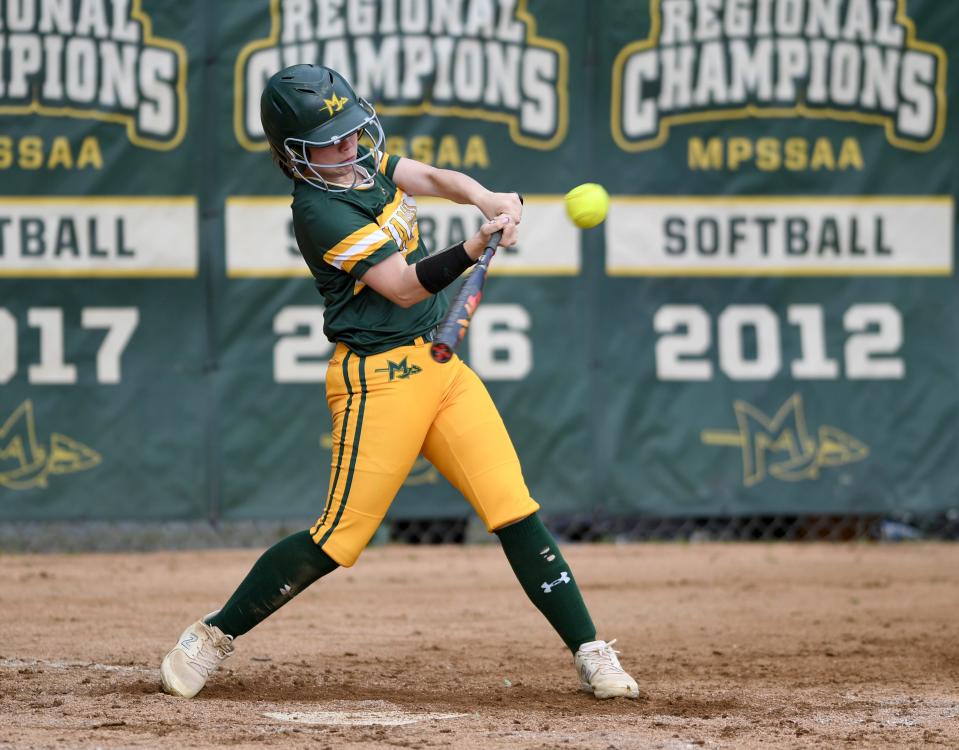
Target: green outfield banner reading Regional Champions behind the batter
763	325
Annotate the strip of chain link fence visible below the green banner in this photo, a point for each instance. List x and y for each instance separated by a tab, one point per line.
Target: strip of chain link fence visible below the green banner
115	536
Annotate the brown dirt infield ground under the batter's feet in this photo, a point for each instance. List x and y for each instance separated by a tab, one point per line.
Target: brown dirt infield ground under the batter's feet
733	646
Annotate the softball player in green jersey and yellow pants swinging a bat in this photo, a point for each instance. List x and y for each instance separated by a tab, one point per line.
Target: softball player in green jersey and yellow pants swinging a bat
354	217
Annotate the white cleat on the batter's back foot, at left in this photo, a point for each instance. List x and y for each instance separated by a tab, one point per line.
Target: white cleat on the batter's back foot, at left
195	657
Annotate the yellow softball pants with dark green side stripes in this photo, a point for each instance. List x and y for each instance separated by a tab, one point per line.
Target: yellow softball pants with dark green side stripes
388	409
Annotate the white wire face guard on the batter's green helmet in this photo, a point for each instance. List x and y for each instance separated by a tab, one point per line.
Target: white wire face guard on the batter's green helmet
364	167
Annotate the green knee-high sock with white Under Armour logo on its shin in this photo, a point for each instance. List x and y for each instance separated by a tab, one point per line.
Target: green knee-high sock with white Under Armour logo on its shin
547	579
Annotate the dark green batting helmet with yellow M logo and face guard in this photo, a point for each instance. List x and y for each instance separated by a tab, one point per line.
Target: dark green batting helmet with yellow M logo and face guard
306	107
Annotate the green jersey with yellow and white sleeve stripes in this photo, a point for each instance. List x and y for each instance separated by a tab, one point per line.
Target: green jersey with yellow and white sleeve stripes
341	236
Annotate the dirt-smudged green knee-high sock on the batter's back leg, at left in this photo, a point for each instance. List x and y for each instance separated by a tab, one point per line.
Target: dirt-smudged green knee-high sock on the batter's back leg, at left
282	572
